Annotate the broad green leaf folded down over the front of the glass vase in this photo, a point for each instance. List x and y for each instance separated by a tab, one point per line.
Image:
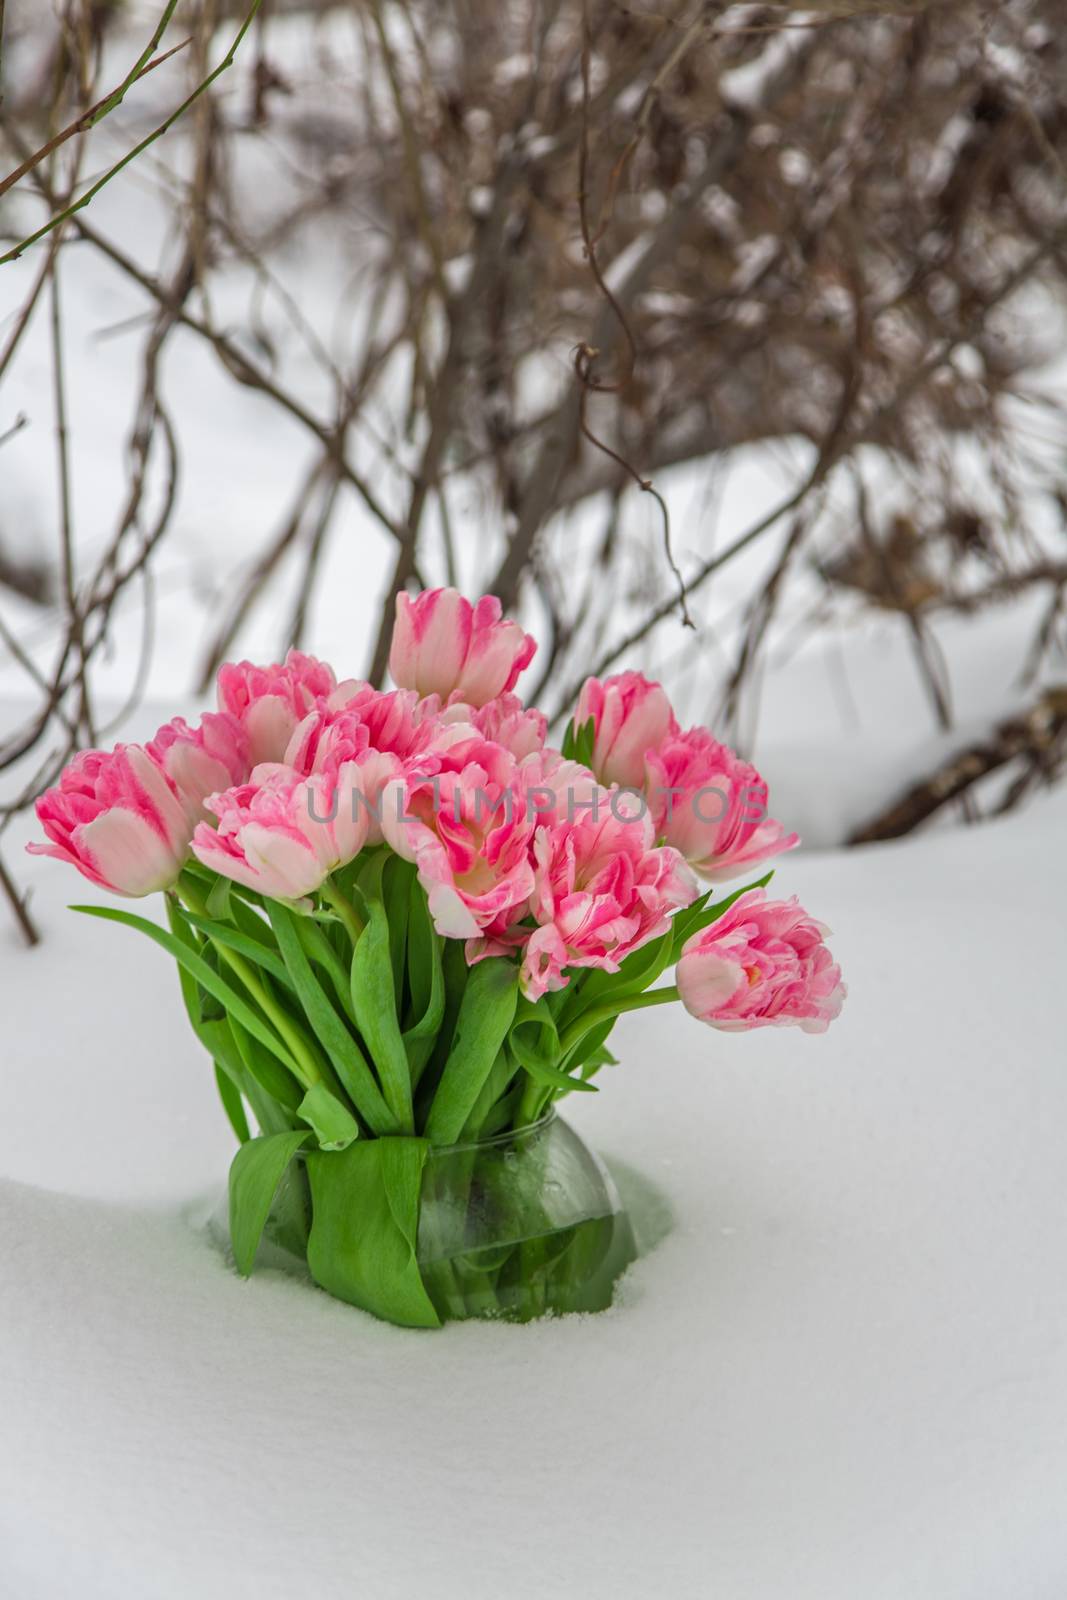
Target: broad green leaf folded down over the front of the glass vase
366	1223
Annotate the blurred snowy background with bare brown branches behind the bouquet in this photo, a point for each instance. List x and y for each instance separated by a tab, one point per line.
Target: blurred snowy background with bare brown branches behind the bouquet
727	342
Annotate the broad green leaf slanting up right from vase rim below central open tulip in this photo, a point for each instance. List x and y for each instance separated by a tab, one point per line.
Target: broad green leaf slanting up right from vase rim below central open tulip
486	1015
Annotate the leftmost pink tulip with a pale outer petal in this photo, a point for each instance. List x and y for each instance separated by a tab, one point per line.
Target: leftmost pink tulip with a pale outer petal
119	820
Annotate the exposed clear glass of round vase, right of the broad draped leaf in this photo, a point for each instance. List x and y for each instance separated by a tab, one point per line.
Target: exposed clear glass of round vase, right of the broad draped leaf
519	1226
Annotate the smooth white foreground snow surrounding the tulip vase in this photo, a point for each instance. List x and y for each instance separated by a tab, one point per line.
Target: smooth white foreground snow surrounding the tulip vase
842	1374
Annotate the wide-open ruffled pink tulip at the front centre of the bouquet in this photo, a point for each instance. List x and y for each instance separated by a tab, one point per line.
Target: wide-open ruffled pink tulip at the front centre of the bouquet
468	831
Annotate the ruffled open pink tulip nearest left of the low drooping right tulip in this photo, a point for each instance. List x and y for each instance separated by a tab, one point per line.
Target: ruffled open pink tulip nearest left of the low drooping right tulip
601	892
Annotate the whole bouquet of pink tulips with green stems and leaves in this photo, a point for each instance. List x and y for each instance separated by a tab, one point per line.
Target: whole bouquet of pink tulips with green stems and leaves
404	922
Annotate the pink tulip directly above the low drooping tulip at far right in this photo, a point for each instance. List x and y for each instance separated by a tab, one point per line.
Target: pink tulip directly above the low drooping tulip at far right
713	807
